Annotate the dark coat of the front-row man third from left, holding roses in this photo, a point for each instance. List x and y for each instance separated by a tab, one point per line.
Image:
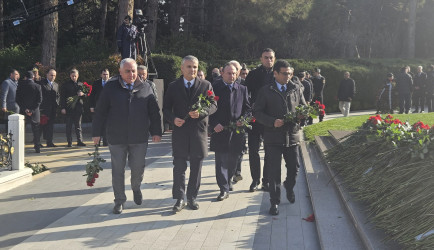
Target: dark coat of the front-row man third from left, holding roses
231	106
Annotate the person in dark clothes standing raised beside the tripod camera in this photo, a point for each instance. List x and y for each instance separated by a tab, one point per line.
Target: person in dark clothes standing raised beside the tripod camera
126	39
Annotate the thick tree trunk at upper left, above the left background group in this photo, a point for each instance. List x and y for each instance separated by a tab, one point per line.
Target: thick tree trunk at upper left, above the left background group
49	37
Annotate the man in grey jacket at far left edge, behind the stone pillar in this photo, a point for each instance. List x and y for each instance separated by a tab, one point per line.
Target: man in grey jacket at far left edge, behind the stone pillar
8	93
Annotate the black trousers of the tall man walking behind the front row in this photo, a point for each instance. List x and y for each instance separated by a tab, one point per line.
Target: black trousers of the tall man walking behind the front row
254	159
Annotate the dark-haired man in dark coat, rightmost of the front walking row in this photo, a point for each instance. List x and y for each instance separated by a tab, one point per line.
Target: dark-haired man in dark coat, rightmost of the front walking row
280	97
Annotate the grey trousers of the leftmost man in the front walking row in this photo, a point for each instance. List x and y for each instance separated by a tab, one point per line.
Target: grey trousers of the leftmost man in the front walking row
136	161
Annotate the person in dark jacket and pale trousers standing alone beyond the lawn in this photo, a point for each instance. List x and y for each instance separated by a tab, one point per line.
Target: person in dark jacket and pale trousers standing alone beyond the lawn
346	92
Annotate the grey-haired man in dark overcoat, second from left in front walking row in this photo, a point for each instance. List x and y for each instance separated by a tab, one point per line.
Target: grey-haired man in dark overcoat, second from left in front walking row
189	137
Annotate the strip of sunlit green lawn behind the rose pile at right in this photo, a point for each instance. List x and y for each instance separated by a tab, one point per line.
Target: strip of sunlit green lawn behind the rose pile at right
353	122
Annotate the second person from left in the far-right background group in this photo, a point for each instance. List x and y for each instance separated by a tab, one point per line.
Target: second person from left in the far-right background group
404	85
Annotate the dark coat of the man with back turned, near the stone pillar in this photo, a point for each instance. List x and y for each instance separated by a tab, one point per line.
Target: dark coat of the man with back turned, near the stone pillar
29	96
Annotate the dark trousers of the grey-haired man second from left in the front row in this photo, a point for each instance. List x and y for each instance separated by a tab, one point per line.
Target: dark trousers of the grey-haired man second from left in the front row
179	167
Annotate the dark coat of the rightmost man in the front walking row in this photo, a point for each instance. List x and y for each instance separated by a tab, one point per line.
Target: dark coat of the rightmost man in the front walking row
270	105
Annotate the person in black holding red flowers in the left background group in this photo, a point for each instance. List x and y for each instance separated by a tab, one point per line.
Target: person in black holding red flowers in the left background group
73	115
